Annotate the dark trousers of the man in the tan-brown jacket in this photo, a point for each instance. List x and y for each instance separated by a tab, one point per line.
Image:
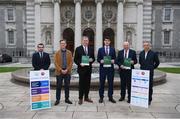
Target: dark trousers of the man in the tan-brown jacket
59	82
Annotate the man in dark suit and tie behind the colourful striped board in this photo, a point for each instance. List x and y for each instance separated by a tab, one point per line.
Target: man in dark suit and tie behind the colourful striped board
41	59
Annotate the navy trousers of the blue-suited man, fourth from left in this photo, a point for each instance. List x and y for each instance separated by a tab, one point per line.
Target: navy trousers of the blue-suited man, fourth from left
109	73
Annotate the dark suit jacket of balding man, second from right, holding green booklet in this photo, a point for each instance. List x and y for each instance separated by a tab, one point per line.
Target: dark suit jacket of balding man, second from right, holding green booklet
120	57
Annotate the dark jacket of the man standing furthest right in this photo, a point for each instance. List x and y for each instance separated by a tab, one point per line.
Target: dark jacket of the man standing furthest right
151	62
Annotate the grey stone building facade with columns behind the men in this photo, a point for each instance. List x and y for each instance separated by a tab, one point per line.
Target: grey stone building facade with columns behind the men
25	23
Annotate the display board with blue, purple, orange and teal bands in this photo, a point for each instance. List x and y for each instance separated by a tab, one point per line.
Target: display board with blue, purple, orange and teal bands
40	90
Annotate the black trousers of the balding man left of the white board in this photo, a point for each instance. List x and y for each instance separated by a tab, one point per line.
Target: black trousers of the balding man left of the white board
125	76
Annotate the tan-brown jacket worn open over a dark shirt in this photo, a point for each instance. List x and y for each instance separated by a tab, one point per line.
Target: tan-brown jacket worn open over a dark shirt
58	62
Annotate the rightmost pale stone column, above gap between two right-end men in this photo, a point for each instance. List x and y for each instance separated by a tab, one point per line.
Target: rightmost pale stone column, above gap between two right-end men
139	42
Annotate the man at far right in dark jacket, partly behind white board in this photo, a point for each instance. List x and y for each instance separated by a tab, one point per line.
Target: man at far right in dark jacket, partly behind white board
149	60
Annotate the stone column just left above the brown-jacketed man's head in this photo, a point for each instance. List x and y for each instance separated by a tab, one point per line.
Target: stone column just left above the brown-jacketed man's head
57	24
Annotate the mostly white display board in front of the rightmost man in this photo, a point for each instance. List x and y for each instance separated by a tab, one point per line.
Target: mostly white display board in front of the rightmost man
140	88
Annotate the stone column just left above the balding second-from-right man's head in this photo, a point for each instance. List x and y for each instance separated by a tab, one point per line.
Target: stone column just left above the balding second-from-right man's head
120	33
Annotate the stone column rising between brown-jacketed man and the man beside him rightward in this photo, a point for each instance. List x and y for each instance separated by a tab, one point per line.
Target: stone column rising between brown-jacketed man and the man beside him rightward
77	22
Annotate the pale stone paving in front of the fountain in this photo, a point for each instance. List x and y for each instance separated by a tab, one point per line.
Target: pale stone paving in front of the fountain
14	103
